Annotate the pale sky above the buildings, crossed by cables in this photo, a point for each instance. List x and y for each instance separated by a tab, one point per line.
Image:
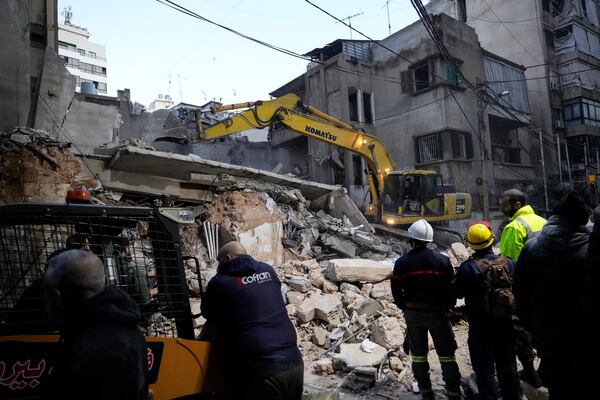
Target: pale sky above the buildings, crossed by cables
153	49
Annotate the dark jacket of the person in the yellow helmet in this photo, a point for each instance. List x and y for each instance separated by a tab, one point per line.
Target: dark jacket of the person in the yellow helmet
470	285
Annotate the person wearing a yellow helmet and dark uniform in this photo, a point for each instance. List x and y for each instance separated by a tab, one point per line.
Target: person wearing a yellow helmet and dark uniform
491	336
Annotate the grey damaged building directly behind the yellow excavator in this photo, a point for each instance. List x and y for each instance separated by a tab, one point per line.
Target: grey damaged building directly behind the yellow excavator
409	96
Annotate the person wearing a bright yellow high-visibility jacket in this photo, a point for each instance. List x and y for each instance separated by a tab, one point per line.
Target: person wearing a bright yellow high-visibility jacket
524	225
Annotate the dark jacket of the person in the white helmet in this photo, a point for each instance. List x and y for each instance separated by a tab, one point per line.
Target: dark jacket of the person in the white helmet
422	280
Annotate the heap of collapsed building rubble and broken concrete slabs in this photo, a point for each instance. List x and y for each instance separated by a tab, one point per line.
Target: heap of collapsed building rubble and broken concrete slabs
334	270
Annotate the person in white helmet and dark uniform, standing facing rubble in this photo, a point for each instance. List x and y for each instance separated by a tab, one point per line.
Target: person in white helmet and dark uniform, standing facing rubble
422	288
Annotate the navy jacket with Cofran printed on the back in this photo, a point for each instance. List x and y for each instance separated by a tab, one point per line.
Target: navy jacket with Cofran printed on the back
245	303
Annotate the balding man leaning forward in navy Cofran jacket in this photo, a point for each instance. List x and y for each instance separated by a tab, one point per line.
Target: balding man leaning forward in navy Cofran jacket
243	302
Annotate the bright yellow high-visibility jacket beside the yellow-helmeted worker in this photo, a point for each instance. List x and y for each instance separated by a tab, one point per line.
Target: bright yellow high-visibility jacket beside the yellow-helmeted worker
523	226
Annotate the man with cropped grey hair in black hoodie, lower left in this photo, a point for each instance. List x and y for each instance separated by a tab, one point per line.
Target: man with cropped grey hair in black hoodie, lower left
102	354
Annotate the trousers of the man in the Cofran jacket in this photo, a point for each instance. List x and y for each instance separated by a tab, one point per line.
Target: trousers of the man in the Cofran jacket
285	385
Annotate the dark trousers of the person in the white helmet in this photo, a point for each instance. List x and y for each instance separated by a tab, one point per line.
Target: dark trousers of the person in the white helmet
418	324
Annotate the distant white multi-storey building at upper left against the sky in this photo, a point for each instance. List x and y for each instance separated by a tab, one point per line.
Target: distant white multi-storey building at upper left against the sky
85	60
